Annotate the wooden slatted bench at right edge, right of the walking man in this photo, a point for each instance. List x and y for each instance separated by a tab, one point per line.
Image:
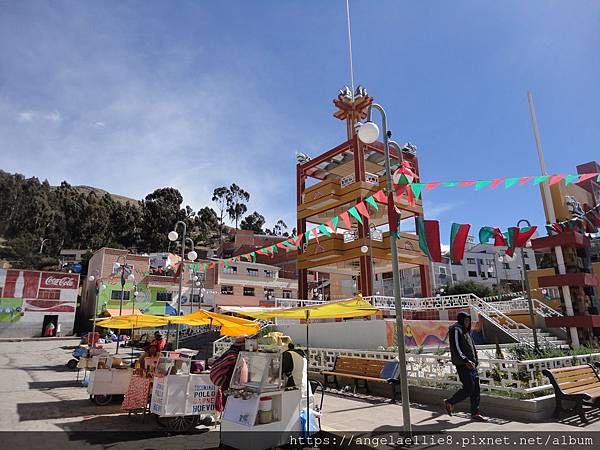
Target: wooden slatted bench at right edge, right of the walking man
580	384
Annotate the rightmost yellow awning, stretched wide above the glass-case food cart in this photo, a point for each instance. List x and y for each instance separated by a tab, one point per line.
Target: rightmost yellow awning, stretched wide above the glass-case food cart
357	307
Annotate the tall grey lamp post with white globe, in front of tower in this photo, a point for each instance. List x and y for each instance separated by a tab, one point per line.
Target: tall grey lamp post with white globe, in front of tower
368	133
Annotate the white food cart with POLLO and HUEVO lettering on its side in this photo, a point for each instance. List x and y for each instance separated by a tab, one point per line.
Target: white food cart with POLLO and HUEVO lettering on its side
182	400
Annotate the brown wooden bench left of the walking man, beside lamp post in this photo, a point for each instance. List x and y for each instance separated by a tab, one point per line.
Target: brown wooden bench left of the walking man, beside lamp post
359	369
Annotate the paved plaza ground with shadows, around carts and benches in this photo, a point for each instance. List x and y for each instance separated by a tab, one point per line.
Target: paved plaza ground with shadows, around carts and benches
39	394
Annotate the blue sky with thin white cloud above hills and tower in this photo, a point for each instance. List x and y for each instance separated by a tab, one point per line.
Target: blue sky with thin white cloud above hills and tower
132	96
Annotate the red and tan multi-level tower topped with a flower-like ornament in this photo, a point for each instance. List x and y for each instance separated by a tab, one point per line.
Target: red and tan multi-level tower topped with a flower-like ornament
334	181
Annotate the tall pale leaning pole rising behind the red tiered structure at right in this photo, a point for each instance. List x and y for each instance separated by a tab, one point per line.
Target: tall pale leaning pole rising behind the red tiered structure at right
560	261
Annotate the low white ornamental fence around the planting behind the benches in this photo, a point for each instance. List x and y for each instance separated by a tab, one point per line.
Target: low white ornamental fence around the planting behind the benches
523	377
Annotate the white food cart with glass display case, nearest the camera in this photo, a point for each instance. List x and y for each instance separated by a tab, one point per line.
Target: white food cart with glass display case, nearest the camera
257	401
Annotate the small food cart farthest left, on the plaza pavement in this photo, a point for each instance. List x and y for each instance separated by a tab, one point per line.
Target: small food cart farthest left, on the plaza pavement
107	378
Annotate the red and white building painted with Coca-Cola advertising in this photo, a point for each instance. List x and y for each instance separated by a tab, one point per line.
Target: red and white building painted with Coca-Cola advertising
30	299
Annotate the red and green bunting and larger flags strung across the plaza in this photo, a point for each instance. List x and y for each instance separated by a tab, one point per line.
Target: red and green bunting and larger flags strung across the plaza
428	230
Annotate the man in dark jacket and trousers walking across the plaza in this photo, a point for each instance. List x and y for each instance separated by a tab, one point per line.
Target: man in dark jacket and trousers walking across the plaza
464	358
